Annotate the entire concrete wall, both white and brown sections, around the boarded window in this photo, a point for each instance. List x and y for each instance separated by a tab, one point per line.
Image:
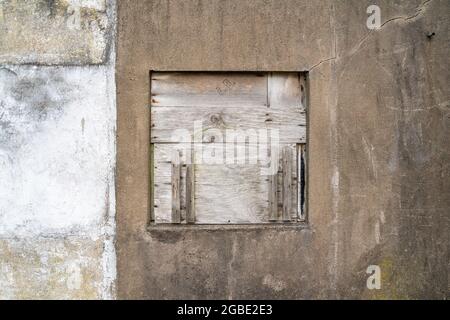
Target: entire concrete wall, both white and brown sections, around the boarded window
379	152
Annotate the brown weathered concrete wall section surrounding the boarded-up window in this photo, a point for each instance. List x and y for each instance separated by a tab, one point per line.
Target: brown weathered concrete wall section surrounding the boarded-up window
378	149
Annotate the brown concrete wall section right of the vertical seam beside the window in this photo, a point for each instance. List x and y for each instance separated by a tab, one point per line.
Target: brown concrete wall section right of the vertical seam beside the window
393	129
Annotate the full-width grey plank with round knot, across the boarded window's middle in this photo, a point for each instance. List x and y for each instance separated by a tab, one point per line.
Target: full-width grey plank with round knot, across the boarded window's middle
166	122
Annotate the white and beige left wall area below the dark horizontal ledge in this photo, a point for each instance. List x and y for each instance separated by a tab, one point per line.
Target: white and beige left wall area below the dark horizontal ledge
57	202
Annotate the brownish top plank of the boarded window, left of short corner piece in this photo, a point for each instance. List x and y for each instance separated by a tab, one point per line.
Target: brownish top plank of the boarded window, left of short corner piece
211	89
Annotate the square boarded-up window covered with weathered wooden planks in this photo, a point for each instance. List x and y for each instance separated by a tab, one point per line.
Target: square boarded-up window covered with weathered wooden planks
228	148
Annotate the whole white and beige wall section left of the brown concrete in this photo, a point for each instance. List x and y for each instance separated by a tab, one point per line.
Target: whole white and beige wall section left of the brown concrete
57	149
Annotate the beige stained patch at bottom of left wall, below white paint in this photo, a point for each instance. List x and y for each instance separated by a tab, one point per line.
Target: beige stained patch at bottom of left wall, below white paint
51	268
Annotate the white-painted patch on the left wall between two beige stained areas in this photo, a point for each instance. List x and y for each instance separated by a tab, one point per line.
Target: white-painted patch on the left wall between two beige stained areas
54	176
